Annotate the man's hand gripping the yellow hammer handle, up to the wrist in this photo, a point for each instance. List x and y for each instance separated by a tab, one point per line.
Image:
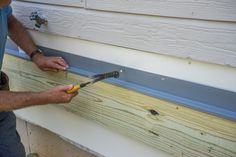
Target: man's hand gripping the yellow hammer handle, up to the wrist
58	94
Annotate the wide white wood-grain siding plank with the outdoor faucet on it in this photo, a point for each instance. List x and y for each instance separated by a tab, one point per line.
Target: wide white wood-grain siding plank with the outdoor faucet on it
208	41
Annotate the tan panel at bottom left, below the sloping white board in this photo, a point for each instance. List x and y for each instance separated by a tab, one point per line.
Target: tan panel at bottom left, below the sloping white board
46	143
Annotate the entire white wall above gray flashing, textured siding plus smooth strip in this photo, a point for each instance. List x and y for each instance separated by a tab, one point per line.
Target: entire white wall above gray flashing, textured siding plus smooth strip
182	48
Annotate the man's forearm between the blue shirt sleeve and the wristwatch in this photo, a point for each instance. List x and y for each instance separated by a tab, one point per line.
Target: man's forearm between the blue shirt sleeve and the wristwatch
20	36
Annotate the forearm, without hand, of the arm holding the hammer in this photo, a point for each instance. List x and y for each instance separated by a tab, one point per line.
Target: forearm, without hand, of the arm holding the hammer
15	100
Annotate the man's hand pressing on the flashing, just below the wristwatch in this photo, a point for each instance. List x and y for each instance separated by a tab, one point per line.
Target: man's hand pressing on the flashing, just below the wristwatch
50	63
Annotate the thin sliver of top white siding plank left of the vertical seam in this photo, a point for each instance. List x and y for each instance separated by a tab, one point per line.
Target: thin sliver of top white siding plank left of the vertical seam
74	3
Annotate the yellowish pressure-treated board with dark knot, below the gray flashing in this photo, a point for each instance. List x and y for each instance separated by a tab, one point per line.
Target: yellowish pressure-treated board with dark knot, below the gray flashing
163	125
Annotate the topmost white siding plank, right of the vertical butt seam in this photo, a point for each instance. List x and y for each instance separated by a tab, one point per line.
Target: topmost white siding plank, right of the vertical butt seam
224	10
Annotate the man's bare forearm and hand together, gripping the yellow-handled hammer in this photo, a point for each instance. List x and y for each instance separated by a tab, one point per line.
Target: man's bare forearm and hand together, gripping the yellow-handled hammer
15	100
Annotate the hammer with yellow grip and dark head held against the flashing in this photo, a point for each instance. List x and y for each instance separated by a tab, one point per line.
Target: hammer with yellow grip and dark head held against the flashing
95	78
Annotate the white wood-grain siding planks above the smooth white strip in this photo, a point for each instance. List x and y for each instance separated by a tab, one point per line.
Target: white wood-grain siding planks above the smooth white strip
209	36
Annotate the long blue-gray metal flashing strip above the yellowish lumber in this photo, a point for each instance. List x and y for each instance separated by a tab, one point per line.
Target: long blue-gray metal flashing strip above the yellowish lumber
208	99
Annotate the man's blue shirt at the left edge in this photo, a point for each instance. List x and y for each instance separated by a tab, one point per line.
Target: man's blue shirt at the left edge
5	12
